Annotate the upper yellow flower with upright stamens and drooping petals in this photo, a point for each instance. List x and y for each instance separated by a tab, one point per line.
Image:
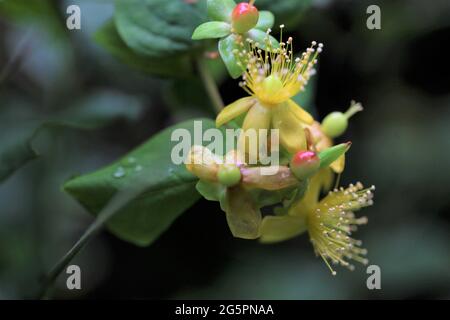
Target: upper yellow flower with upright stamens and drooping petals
272	78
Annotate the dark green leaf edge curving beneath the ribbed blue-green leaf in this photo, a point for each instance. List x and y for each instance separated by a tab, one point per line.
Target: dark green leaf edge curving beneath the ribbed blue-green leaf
170	66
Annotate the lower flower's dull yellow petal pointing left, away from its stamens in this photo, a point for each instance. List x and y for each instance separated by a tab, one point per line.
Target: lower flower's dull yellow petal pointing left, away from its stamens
280	228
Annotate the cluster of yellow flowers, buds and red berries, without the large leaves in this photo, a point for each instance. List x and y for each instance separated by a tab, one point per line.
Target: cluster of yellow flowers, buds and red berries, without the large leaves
272	75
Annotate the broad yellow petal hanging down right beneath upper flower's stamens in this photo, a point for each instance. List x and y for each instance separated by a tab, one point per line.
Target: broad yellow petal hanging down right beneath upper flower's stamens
292	135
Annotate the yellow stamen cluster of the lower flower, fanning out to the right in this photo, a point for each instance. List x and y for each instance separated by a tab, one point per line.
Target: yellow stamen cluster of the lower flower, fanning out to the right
332	222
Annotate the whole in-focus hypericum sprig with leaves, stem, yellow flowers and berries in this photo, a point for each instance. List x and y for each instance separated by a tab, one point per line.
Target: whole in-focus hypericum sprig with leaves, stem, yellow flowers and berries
138	196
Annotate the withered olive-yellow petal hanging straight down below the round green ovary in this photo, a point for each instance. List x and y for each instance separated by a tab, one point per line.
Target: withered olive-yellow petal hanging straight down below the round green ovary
243	215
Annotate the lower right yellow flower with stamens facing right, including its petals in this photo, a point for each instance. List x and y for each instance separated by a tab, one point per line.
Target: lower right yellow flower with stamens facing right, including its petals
330	223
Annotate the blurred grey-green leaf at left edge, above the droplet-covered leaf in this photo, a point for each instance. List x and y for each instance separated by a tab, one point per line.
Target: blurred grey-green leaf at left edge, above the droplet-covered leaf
95	111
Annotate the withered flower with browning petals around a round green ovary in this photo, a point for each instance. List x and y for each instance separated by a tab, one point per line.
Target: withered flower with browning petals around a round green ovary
242	210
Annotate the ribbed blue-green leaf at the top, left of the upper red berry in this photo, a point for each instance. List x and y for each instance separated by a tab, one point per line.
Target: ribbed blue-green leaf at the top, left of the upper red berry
156	28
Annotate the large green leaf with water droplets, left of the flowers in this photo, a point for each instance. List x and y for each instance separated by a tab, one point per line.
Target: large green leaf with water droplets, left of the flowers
166	189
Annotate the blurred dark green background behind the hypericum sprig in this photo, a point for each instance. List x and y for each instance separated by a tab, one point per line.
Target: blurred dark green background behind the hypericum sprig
401	144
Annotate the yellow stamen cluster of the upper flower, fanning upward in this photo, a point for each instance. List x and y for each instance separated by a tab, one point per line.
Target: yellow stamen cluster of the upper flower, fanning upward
274	75
